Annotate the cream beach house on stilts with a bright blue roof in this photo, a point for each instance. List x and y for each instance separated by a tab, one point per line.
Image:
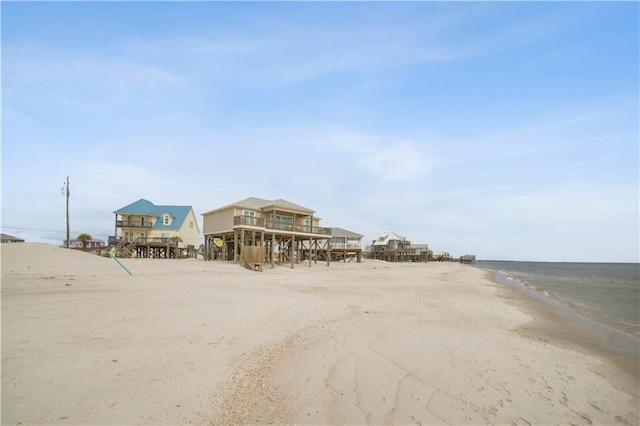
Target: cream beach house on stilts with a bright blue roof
148	230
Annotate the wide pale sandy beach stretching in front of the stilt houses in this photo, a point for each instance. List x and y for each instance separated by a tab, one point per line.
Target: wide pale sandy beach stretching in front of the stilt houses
195	342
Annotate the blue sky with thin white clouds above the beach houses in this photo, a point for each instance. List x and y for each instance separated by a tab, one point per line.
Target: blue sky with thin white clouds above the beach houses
506	130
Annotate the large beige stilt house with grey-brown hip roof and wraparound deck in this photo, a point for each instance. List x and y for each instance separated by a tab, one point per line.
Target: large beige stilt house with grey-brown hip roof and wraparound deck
255	230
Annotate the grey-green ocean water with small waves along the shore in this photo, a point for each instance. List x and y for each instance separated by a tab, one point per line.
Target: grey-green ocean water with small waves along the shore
607	294
